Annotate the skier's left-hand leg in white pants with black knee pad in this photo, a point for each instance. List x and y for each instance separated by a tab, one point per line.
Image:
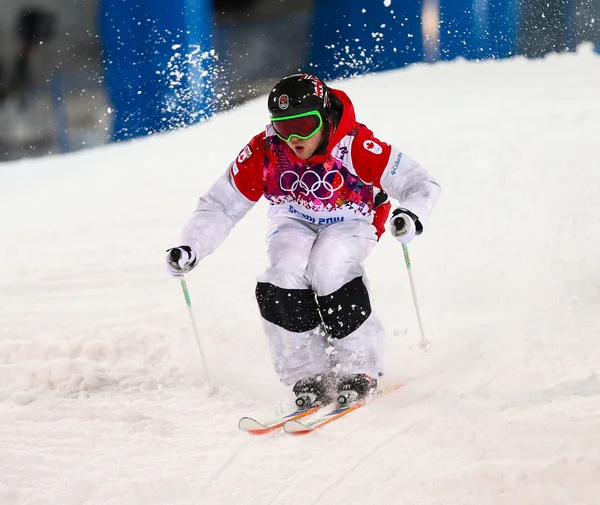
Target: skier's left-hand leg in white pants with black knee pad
287	304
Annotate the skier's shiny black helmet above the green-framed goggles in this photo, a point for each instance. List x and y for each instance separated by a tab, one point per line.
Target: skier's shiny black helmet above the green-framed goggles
299	93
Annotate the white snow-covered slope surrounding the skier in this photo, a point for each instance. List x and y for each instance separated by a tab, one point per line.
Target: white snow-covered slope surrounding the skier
103	400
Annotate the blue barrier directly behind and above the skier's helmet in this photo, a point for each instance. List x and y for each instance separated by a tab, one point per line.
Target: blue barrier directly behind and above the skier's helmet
351	37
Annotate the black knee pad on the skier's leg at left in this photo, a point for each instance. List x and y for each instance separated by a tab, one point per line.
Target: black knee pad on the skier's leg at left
292	309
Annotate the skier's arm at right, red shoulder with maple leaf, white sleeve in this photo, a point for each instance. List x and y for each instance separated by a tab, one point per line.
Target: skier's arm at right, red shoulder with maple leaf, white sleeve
399	176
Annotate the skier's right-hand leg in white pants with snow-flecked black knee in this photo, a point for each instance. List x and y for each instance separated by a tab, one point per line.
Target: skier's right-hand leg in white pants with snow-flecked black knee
336	273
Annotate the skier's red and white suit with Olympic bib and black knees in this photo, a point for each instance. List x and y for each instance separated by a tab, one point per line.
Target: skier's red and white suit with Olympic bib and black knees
324	221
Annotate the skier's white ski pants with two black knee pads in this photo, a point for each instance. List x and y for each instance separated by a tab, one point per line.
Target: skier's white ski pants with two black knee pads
314	299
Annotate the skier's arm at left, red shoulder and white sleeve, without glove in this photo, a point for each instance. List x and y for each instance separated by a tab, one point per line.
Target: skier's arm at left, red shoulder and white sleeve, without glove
225	203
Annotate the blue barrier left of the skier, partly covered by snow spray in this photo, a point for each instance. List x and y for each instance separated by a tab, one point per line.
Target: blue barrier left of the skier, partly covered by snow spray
157	63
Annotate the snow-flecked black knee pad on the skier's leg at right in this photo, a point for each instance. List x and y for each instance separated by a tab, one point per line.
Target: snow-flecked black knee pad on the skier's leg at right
344	310
